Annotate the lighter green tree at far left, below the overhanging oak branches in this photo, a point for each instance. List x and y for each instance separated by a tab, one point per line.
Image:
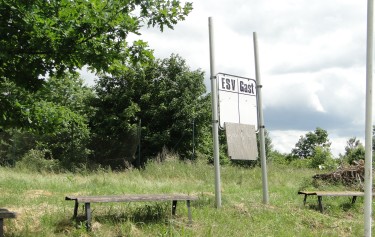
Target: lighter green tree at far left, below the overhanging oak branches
54	119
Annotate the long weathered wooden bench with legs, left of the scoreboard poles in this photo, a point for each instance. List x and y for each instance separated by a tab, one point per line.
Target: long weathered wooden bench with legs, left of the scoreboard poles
87	200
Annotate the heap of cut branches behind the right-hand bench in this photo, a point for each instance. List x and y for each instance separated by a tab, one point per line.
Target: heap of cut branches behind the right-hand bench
350	175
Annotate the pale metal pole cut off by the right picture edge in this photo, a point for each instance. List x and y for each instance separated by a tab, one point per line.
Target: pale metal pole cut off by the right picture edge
368	126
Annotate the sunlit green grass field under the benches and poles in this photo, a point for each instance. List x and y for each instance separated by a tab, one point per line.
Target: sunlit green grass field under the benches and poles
39	201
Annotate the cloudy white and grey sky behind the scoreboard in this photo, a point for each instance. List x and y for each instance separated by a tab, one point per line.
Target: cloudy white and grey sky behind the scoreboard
312	58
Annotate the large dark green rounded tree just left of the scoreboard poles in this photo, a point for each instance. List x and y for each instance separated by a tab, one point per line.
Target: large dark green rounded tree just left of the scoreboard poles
164	95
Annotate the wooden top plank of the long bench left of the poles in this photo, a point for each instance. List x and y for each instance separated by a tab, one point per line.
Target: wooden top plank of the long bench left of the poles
132	198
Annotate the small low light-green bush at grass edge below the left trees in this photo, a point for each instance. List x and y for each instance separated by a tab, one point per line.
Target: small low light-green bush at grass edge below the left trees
35	161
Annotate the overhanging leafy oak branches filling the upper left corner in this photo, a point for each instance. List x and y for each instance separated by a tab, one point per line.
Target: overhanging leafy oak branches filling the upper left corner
39	37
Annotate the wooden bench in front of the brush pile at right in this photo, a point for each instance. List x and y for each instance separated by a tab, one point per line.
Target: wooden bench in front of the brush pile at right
321	194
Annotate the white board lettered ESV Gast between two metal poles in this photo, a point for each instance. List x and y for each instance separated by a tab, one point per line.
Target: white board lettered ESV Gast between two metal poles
237	100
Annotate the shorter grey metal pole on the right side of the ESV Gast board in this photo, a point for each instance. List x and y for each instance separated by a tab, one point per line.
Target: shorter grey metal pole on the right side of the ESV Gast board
261	123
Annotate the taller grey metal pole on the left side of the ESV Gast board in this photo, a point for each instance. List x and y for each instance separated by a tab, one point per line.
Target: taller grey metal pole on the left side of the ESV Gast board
215	120
